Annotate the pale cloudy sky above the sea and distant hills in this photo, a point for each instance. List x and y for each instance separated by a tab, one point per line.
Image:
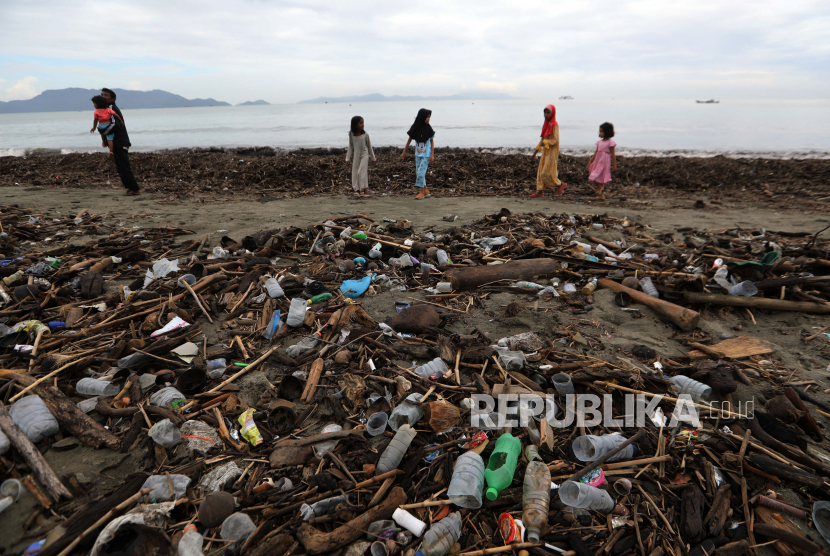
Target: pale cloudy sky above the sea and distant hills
284	51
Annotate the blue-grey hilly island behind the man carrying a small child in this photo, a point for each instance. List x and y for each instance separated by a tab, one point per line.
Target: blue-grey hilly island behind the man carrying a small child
65	100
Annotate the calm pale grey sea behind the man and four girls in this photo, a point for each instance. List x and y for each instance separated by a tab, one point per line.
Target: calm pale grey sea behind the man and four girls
778	128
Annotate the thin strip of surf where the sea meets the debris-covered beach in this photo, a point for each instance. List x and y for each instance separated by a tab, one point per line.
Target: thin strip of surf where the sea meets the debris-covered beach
579	151
